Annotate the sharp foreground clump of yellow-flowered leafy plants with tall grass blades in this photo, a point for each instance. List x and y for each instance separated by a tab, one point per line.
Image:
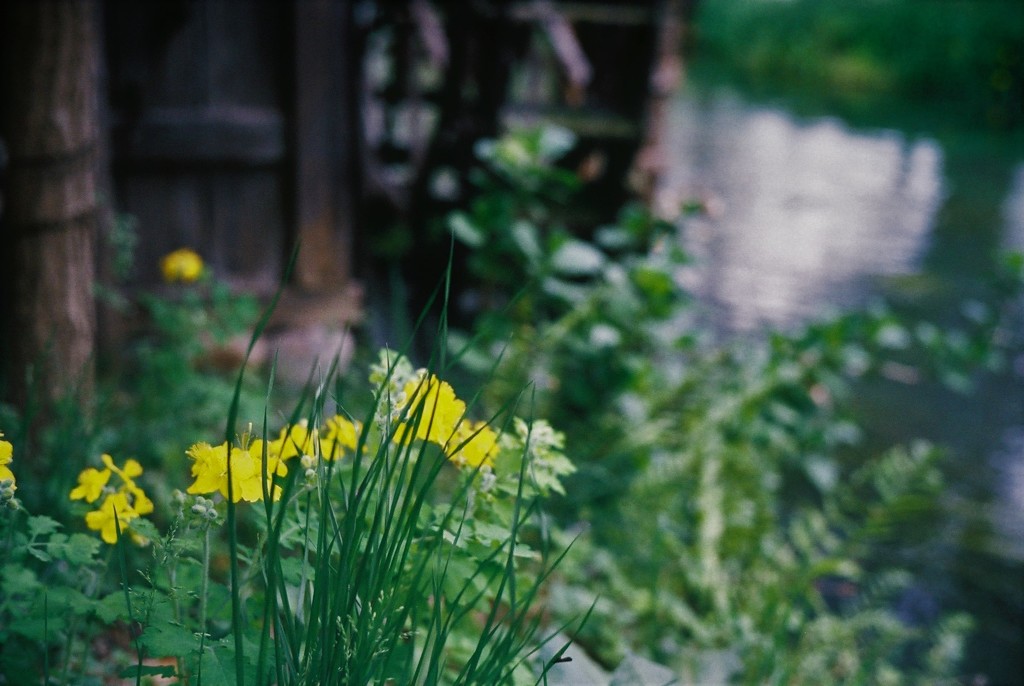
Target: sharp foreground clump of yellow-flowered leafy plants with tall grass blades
395	548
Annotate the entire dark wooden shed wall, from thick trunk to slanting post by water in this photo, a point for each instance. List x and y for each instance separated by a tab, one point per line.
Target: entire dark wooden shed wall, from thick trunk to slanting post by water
238	127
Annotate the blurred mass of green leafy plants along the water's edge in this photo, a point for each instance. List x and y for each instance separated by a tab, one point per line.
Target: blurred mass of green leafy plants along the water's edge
729	533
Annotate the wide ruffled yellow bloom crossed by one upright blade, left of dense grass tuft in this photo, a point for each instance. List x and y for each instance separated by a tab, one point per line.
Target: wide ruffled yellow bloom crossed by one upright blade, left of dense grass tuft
210	470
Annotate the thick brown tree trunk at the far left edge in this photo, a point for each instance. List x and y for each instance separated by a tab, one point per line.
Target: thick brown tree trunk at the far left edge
50	123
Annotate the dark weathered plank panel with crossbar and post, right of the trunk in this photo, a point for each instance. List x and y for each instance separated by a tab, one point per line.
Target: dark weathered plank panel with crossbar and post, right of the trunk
229	124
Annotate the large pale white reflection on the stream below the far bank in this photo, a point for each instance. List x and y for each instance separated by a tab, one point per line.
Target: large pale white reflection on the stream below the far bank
804	213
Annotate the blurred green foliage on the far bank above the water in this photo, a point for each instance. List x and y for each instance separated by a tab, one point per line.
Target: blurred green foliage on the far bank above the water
967	56
